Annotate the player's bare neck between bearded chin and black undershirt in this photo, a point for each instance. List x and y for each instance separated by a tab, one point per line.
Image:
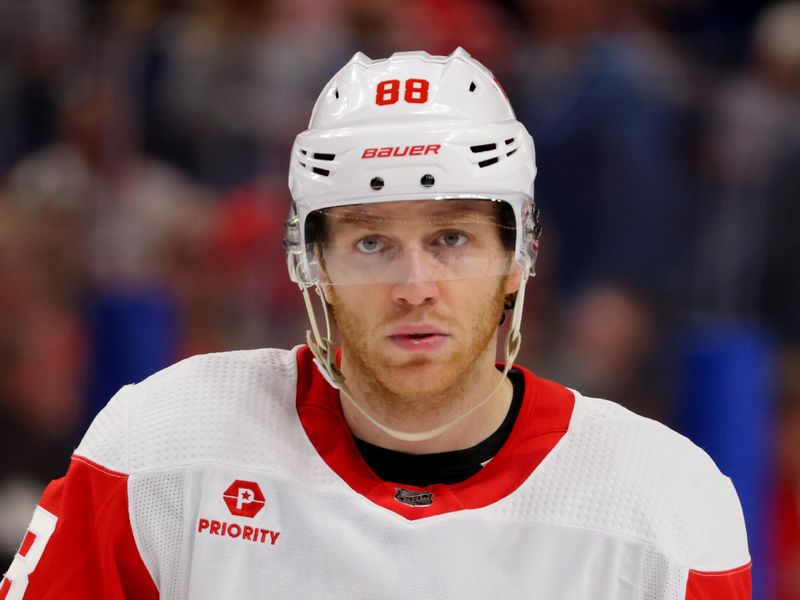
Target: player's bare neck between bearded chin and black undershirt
481	382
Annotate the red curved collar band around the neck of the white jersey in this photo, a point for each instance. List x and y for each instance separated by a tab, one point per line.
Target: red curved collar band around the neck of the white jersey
542	421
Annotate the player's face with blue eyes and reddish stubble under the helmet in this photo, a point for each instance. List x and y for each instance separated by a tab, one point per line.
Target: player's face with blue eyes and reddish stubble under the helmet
423	309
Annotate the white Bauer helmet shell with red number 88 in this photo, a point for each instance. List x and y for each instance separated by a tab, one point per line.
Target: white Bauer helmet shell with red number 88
410	127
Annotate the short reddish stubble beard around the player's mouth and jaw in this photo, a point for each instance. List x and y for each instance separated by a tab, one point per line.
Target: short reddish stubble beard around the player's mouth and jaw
388	389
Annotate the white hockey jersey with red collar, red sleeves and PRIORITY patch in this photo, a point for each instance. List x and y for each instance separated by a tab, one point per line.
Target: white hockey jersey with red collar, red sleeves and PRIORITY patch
235	476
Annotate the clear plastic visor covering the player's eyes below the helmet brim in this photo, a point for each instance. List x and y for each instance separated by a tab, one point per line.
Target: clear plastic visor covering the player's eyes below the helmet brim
412	241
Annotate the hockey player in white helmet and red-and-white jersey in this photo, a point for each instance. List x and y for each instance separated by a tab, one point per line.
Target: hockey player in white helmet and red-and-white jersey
402	462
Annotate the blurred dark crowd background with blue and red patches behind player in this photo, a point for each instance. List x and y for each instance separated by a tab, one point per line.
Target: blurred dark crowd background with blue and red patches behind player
144	149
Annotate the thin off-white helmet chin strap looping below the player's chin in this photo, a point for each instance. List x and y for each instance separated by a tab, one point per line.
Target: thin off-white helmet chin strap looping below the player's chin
325	359
